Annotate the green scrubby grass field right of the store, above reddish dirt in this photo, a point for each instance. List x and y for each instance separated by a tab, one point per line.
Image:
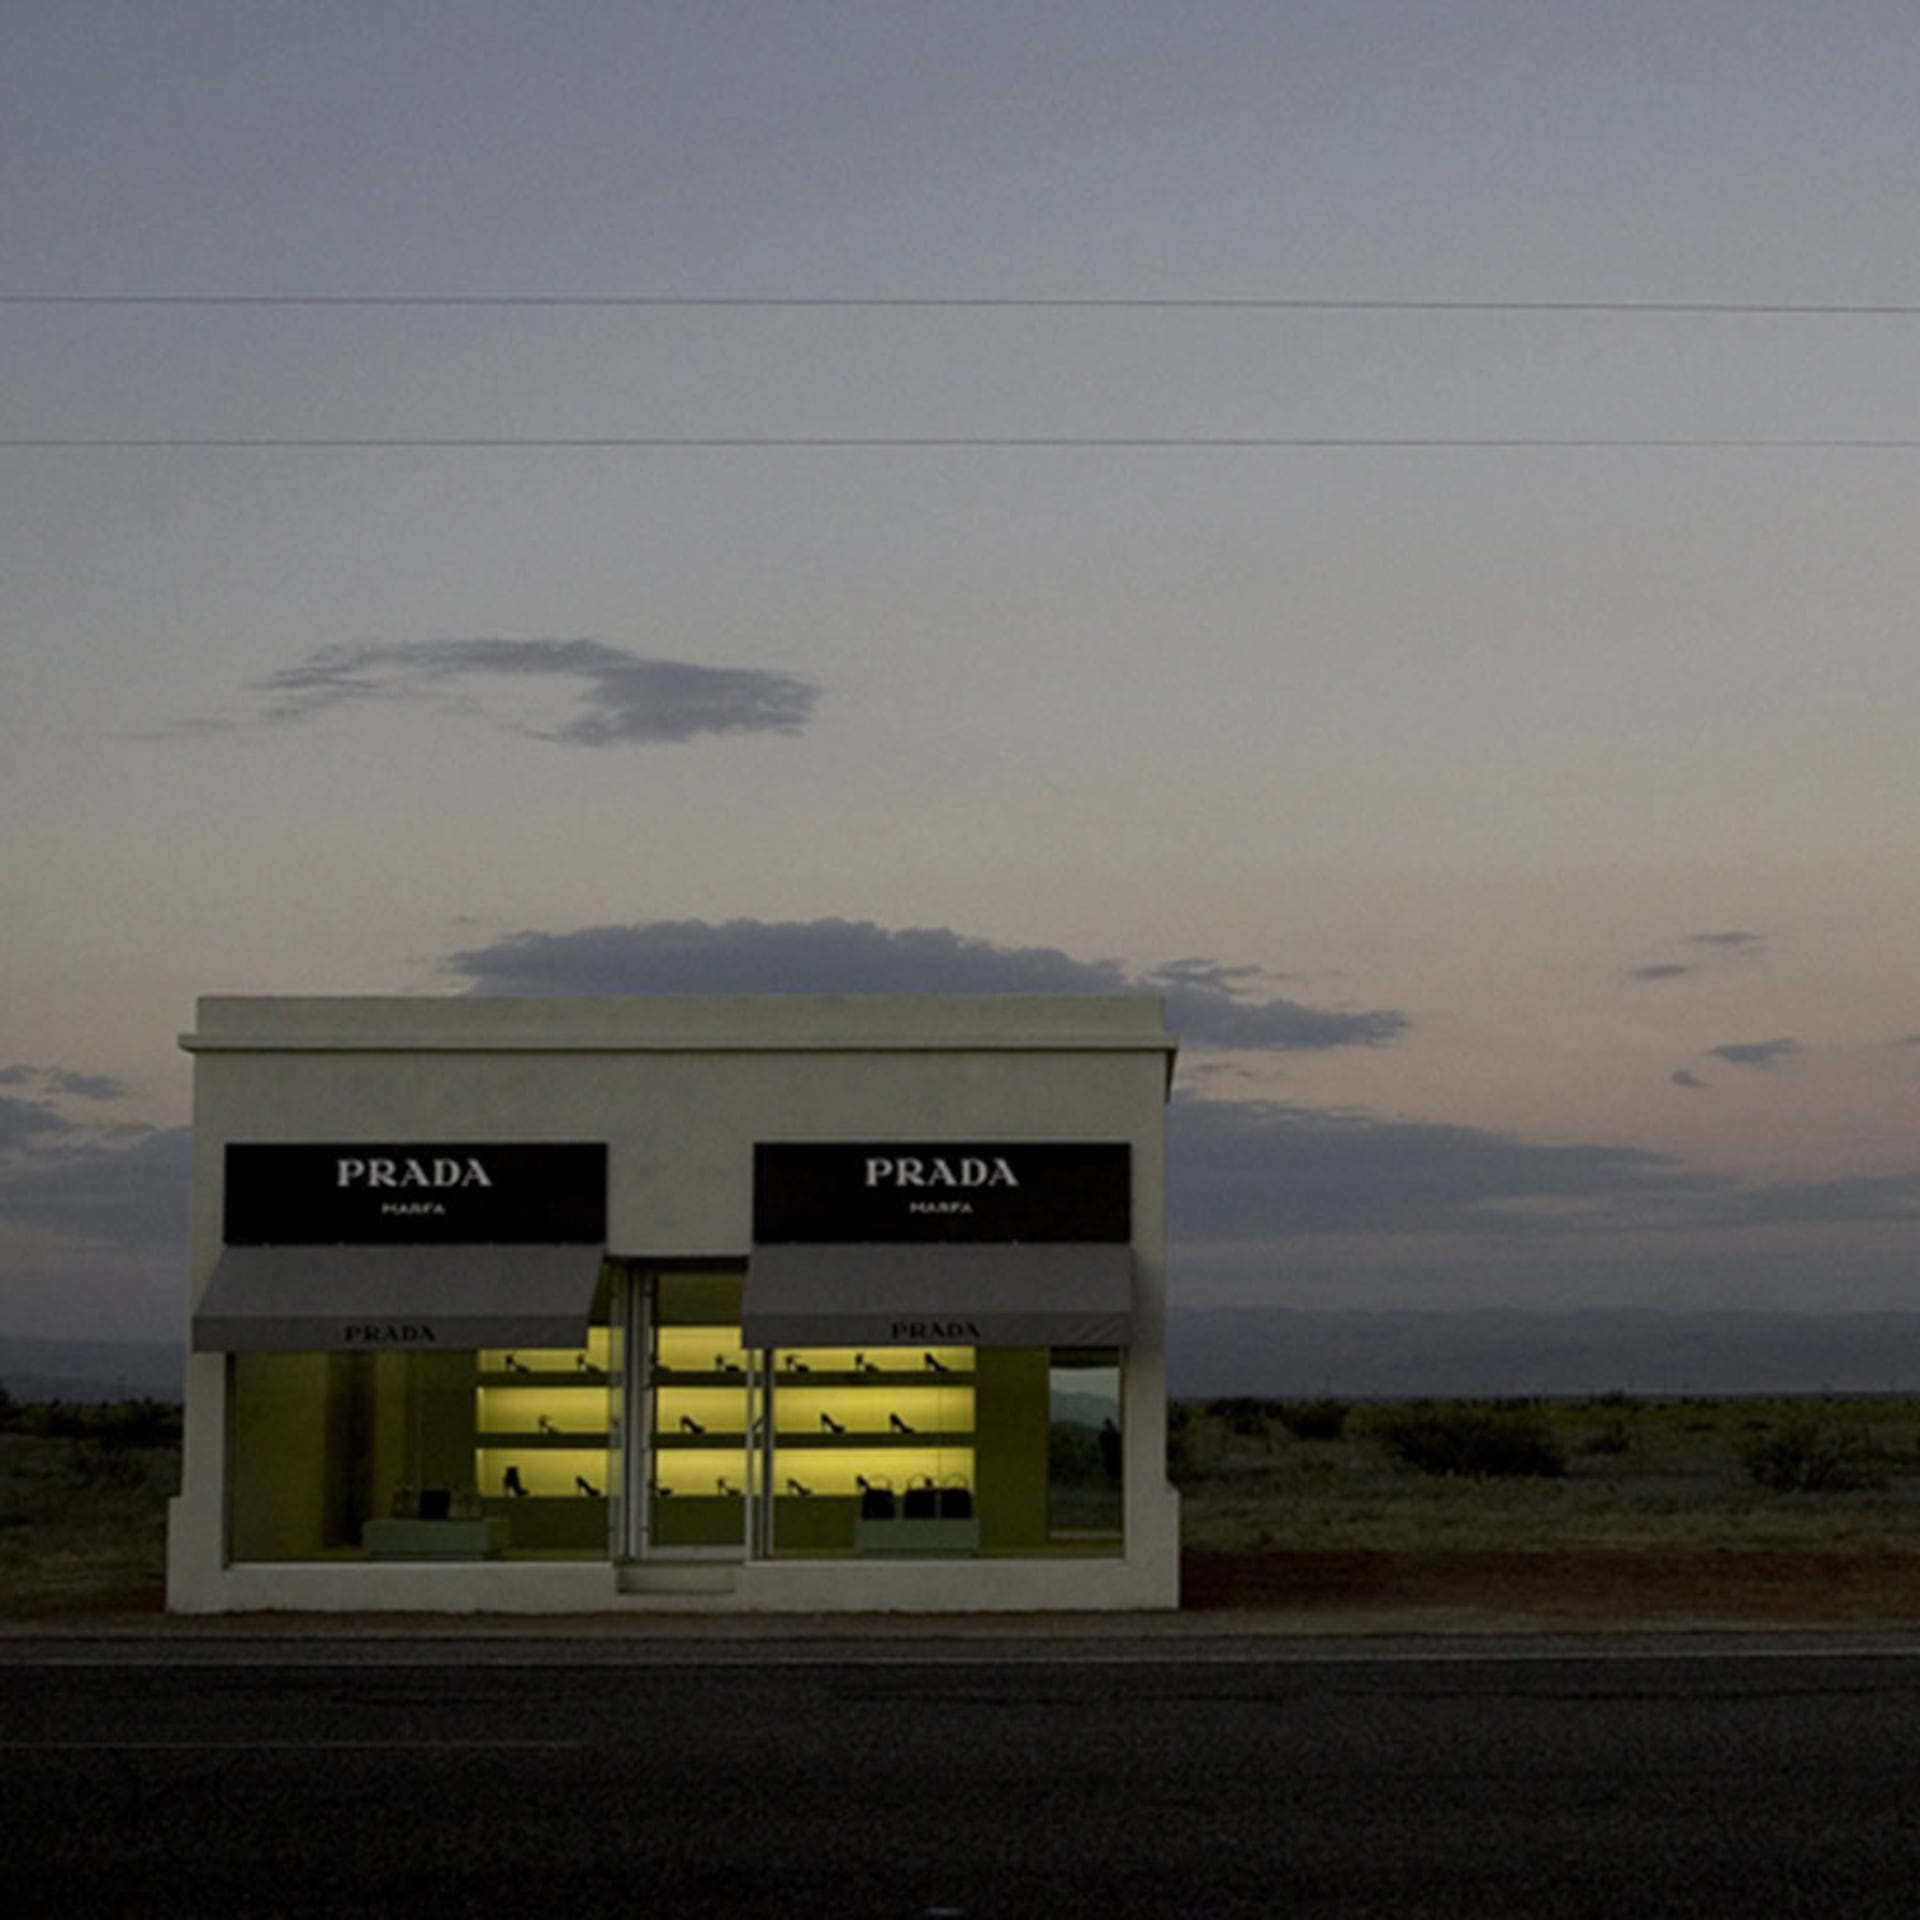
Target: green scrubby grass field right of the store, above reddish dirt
1639	1476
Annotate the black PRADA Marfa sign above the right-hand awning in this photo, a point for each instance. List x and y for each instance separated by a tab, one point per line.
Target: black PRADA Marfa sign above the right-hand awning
944	1191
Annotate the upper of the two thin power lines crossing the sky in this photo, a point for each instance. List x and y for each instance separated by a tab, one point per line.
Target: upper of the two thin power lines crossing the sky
890	302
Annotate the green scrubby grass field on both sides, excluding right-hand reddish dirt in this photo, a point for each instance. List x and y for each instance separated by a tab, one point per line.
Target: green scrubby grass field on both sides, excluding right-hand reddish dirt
84	1491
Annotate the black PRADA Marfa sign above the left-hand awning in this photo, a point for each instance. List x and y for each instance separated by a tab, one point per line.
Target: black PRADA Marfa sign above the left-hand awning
418	1191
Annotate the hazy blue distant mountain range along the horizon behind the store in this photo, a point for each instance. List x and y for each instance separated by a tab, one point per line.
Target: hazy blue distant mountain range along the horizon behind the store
1285	1355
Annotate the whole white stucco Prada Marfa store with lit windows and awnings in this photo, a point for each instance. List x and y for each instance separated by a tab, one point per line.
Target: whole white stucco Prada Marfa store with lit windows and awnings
725	1305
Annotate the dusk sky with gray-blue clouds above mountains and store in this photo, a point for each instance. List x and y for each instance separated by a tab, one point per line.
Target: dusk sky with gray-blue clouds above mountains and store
1524	836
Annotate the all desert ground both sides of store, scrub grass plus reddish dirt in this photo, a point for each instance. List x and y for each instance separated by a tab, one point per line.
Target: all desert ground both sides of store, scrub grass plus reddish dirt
1426	1518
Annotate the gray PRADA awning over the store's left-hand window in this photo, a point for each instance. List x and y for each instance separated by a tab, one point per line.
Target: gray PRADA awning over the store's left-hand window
379	1299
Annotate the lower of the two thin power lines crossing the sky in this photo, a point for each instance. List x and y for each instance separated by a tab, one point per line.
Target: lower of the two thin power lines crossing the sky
953	443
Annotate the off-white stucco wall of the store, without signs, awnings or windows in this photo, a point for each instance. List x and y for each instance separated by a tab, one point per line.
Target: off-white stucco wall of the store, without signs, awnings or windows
683	1090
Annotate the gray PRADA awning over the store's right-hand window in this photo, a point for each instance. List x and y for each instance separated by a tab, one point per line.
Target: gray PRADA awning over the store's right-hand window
1024	1295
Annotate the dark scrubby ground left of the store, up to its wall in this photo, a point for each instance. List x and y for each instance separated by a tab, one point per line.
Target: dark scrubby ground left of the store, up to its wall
84	1504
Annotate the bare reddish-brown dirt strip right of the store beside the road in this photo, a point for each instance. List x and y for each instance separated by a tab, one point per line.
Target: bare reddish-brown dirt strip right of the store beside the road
1581	1587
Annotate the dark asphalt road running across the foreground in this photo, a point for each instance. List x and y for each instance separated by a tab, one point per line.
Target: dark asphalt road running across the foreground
508	1779
